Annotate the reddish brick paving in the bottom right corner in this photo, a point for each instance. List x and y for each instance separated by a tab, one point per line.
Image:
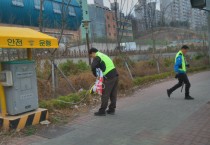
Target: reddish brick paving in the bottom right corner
194	131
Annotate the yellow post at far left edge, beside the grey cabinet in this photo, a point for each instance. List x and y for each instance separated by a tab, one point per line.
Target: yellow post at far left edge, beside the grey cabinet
2	100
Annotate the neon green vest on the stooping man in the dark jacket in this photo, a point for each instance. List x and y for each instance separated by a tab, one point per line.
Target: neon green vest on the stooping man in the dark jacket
108	62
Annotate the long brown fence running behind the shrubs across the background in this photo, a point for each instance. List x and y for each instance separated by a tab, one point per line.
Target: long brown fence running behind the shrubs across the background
13	54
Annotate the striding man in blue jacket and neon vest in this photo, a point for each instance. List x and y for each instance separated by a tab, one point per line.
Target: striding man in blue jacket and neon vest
180	68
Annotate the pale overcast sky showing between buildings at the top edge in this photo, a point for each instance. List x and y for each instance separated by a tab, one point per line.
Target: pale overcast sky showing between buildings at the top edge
126	9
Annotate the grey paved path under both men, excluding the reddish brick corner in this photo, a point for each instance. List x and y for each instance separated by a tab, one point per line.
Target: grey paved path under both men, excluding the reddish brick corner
148	117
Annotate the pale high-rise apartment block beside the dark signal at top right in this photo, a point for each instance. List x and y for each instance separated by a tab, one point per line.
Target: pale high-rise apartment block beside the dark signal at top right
180	10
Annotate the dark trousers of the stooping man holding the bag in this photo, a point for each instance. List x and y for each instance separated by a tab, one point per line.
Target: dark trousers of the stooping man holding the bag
109	92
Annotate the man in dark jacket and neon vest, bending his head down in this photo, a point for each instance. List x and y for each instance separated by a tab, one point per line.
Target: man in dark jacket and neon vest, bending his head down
110	74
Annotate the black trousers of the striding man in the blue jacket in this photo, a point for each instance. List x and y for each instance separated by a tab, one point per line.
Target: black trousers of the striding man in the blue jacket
182	79
